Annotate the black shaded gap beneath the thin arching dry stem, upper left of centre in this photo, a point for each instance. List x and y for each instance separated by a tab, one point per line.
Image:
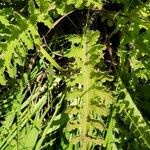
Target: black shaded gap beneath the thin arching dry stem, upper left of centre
71	24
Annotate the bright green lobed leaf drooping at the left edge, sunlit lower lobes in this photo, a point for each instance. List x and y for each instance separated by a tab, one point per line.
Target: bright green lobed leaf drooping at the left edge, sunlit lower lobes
13	47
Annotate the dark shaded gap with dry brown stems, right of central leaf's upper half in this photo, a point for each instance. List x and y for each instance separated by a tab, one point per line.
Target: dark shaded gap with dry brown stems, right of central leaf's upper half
108	38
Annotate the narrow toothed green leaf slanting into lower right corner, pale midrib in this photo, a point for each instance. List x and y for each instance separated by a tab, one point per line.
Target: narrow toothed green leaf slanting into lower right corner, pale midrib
135	118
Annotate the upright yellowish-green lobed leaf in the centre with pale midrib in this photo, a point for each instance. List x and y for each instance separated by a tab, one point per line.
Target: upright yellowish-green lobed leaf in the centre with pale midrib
89	100
